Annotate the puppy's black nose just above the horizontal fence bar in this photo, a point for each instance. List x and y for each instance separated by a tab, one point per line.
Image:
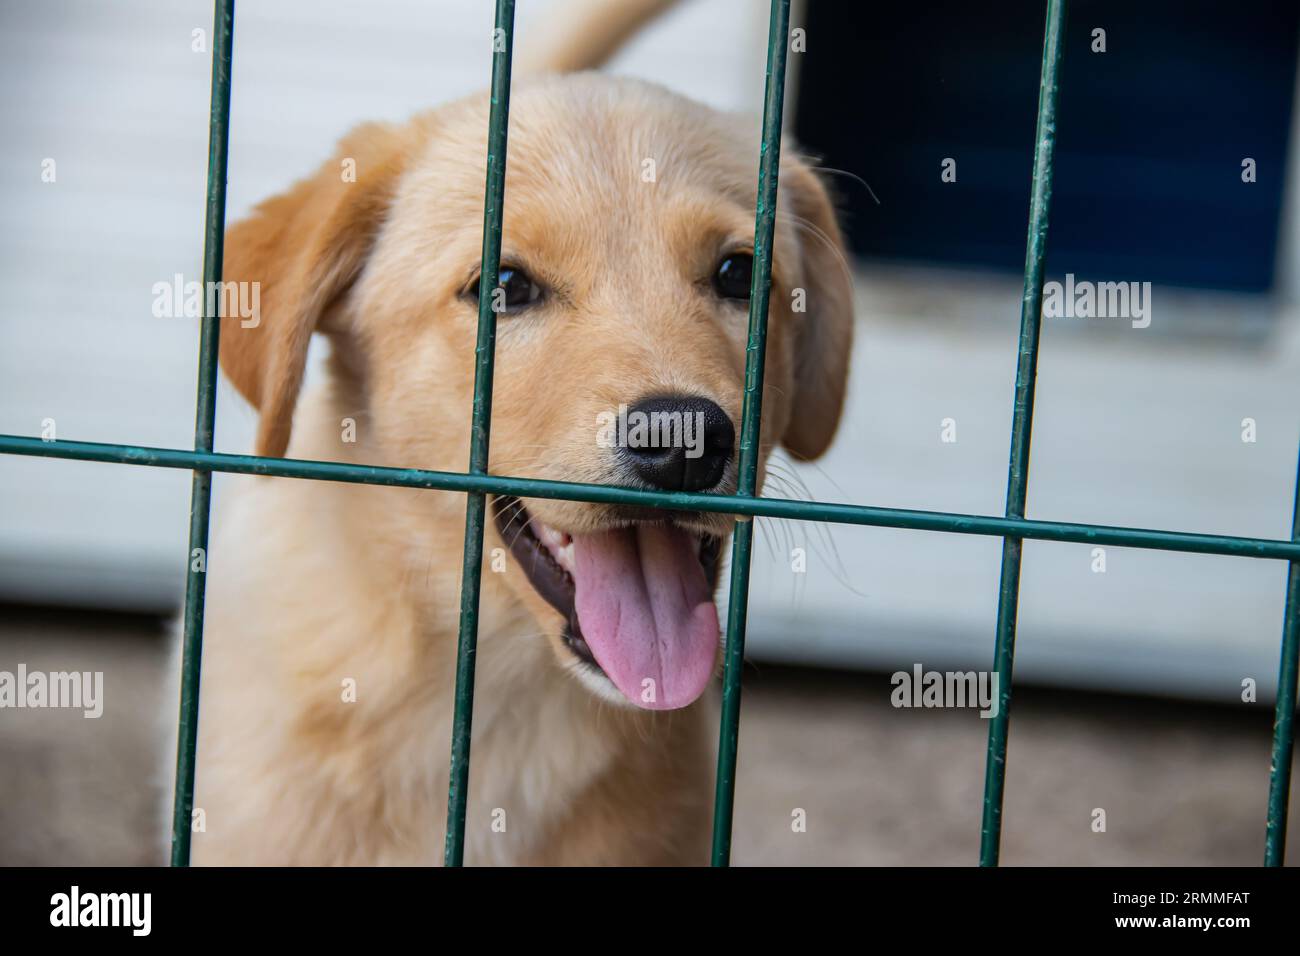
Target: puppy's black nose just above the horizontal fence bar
677	443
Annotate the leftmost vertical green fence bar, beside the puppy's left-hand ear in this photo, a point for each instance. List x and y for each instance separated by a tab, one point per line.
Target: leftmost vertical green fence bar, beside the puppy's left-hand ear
205	425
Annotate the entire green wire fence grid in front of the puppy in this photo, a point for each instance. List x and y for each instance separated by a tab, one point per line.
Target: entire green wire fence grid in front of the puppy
476	485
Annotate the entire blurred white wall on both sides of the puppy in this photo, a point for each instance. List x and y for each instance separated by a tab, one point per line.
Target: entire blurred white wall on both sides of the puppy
1133	427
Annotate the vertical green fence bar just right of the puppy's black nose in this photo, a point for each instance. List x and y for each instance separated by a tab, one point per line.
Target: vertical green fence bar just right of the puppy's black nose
756	353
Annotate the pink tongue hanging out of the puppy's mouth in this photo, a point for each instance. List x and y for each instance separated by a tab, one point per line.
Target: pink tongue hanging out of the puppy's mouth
647	613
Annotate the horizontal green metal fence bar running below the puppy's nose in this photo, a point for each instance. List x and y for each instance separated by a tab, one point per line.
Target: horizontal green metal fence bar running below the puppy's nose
678	501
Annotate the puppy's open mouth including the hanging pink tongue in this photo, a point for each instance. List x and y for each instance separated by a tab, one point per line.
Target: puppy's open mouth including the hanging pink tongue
638	600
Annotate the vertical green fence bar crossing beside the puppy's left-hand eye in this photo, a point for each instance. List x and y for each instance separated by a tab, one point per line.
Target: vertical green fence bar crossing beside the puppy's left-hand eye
471	574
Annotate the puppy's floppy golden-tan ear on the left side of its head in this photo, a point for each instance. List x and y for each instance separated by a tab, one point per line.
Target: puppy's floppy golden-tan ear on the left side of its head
305	249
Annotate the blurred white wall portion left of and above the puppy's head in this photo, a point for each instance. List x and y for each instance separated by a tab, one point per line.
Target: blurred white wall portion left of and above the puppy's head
116	96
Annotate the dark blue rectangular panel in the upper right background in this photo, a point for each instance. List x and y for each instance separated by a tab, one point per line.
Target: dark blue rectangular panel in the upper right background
1152	133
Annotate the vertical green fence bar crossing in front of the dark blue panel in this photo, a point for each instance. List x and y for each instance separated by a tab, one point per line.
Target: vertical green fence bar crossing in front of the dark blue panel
1022	422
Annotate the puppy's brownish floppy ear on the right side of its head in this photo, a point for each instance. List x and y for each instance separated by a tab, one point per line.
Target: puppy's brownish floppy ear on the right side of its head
824	334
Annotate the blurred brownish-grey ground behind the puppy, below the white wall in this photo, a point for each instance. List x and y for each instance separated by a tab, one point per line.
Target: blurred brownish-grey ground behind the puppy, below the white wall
1181	784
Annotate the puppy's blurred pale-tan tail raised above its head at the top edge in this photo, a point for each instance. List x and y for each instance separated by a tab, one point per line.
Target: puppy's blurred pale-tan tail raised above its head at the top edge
583	34
